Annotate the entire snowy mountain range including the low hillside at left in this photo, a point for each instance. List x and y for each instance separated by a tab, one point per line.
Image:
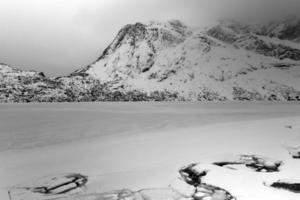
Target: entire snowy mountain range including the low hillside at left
227	60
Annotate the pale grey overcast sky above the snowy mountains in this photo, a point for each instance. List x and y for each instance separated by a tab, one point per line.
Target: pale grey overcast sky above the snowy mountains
59	36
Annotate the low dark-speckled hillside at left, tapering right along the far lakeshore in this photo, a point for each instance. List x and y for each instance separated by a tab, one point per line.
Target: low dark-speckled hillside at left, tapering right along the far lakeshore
30	86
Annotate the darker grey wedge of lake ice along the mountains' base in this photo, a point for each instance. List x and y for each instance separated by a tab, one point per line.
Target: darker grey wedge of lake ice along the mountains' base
35	125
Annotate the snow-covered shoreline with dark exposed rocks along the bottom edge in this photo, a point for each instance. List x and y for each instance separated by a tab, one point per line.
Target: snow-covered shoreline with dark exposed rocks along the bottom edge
196	181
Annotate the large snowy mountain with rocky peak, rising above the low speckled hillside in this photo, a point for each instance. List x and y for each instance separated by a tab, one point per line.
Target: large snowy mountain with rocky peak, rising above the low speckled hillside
227	60
